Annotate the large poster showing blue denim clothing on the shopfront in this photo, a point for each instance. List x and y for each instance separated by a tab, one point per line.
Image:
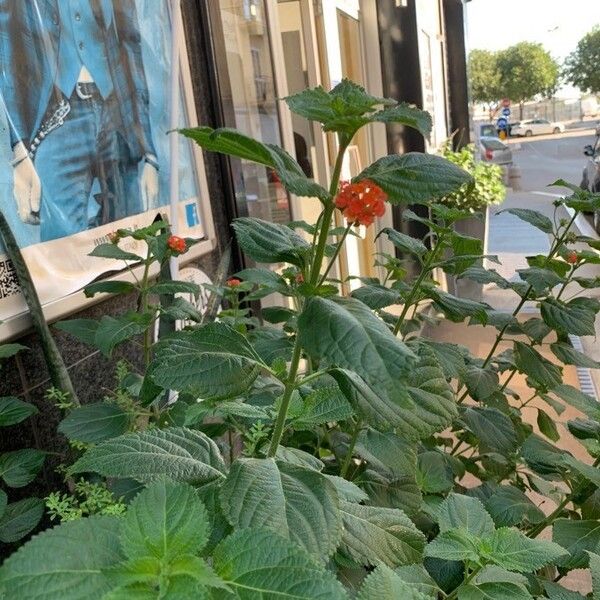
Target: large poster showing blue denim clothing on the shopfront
85	92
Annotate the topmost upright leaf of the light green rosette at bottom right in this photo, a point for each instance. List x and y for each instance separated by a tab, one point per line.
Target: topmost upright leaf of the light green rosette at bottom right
466	514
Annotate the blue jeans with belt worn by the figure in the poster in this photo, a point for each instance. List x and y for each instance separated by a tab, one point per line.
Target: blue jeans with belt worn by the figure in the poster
86	153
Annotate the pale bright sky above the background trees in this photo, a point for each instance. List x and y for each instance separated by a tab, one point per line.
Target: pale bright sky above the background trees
557	24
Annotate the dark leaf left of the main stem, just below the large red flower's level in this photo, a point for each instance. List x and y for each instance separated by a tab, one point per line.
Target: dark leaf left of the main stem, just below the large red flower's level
268	242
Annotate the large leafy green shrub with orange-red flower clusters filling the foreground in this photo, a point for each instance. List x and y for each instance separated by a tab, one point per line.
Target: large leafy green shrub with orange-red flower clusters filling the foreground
322	451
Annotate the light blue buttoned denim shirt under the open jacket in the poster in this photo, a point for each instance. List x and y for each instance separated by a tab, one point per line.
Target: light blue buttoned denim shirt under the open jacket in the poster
82	43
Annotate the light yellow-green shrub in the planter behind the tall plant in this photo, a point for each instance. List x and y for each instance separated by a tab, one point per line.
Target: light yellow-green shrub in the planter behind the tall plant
488	187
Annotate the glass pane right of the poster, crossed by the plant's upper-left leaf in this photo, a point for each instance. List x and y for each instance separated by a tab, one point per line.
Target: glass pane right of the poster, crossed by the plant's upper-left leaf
250	73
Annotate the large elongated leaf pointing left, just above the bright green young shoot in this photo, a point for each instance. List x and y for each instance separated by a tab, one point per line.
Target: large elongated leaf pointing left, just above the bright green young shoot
178	453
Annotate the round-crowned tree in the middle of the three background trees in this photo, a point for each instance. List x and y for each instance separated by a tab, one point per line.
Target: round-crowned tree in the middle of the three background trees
526	71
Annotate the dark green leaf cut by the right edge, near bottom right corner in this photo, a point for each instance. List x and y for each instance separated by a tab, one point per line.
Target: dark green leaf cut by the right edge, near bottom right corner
577	537
